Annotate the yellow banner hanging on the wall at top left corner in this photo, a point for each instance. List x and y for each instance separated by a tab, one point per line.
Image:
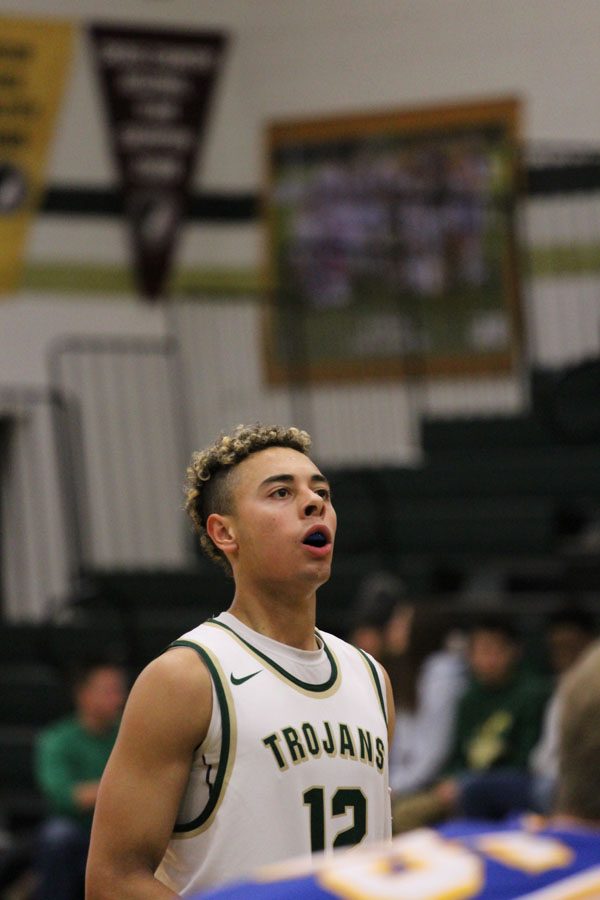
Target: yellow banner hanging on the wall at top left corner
34	57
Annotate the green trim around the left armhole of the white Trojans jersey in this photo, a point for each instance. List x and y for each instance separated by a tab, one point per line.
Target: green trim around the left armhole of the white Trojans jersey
183	829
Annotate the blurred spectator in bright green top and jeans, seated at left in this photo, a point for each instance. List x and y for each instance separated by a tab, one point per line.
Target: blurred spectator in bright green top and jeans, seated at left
69	761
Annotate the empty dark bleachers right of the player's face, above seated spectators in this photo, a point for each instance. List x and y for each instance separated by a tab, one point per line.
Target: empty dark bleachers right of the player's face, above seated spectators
509	490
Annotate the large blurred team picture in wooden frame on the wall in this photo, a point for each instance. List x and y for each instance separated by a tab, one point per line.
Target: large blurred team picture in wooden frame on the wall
392	244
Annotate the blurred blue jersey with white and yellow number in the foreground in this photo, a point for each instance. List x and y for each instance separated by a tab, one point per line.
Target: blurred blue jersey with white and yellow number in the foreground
458	862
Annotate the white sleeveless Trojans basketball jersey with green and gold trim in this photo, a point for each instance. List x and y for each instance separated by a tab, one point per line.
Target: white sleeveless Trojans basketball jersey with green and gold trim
289	766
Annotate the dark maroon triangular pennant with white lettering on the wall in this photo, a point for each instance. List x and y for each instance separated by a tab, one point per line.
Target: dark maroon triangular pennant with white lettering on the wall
157	86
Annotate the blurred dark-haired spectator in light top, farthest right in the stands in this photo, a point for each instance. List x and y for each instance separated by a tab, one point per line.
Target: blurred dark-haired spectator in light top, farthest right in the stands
569	632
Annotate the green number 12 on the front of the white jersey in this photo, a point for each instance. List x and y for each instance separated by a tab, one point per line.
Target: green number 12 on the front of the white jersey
344	799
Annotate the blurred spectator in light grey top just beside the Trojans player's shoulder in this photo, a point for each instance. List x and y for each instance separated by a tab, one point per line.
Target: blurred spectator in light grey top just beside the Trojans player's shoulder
428	677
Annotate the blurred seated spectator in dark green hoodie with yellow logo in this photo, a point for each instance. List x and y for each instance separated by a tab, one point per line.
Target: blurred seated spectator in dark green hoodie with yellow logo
498	723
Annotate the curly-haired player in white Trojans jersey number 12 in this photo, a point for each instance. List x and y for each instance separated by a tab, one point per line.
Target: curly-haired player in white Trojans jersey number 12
255	737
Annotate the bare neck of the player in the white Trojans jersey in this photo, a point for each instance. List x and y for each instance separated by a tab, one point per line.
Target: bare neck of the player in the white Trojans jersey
287	619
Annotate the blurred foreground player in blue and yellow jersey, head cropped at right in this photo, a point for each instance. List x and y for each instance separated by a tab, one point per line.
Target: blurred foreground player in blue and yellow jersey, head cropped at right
553	859
